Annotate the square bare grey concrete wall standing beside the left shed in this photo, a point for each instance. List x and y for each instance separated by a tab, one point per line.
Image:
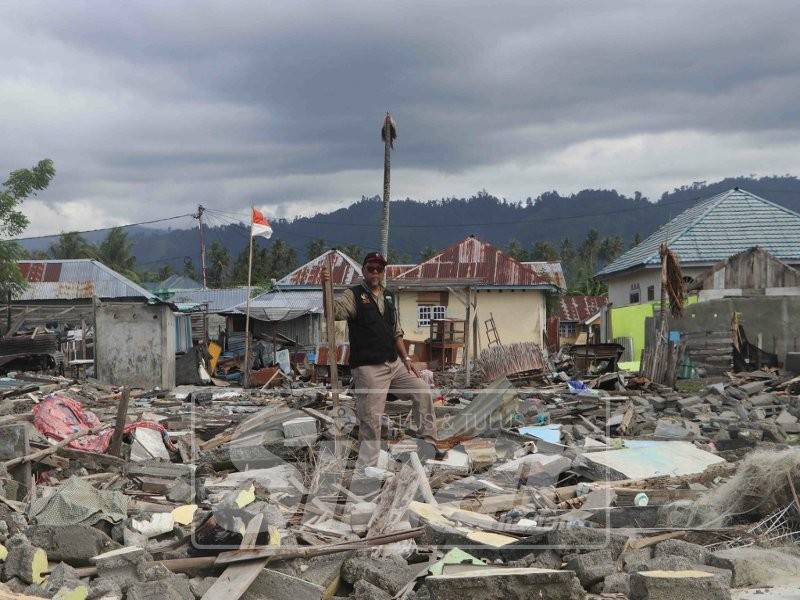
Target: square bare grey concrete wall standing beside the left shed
136	345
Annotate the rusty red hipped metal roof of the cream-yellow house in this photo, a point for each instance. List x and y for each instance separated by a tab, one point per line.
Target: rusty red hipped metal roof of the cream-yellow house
472	258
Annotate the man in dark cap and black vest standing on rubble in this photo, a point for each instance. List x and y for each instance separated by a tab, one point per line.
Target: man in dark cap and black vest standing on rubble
378	359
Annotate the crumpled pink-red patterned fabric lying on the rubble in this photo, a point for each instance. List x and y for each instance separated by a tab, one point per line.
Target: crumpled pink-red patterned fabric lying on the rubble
57	417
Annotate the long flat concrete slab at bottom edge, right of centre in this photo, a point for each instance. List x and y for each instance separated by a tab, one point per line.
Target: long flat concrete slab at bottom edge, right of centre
491	583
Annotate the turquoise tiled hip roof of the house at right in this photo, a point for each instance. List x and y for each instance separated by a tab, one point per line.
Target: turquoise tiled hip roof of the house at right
717	228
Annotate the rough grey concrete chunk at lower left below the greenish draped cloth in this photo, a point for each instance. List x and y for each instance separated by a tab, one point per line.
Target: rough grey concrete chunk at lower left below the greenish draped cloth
72	544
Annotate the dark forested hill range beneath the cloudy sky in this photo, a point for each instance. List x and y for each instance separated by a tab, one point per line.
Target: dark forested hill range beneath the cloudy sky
417	227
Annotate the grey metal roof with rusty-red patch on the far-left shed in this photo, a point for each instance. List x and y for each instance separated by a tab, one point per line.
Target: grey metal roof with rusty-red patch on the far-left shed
77	279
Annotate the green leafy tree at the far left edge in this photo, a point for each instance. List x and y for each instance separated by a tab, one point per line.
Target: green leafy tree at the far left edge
20	184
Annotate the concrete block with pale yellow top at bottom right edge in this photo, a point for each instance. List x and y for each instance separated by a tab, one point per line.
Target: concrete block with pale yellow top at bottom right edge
677	585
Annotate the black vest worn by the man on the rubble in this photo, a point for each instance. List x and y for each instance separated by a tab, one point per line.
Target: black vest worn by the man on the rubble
371	334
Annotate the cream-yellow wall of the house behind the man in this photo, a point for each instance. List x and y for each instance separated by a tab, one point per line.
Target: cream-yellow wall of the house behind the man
519	315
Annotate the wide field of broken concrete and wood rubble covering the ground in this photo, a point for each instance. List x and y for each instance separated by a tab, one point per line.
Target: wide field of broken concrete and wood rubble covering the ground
547	487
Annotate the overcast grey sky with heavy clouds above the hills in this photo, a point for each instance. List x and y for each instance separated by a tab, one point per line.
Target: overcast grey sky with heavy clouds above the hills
149	108
